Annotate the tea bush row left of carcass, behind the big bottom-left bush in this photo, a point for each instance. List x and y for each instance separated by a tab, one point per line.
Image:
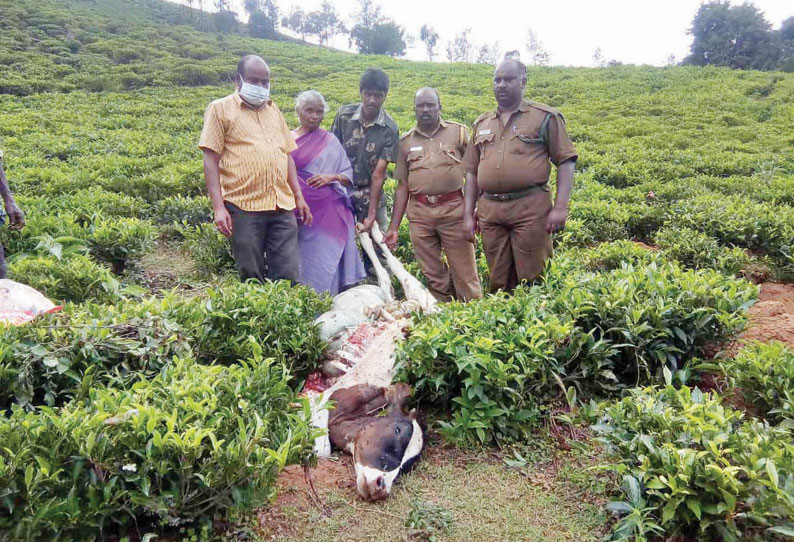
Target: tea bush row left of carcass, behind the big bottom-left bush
68	353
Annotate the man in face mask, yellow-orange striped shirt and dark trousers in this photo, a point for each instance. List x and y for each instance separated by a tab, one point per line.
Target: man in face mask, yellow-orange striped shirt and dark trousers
251	177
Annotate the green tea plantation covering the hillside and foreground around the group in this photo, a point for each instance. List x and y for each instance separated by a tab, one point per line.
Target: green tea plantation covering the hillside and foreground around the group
138	409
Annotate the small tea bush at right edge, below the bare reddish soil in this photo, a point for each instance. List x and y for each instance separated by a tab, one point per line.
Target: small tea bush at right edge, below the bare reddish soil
764	374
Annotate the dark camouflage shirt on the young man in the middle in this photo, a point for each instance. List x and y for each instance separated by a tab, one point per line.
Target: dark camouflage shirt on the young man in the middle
365	145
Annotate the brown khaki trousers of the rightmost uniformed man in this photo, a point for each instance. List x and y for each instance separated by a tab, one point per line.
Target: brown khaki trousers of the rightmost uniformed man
514	238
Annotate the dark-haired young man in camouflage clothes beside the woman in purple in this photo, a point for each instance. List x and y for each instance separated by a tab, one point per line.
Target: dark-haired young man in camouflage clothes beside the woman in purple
370	138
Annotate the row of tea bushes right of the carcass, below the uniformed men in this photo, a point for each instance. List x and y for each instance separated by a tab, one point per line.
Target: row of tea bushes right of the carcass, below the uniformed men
494	363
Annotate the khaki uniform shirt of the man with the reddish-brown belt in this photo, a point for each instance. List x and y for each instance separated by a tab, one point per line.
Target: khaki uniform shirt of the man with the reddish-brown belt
431	163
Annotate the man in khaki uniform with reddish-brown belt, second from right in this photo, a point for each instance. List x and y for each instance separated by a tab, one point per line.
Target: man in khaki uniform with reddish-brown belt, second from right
431	175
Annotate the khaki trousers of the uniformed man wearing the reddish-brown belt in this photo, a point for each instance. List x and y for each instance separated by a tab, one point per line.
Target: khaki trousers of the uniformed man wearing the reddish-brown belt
437	227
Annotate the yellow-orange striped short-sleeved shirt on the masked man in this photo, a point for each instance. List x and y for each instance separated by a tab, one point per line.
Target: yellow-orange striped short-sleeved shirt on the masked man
254	145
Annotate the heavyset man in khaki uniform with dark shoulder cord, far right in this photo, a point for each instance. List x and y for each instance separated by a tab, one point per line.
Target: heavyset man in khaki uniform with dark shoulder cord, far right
507	174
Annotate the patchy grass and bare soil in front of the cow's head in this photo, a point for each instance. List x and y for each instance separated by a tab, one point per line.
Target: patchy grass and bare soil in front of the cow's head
451	496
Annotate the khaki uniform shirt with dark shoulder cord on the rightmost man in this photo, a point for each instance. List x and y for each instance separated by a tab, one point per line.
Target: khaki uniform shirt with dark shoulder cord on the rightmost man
511	157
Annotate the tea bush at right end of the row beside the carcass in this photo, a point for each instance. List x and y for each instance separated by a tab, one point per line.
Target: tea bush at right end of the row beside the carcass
656	315
